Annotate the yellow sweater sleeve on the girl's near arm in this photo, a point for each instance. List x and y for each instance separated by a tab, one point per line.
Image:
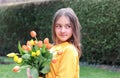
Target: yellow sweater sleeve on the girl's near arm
67	66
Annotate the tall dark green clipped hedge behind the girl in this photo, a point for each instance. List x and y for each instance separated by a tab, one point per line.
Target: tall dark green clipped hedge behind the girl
100	21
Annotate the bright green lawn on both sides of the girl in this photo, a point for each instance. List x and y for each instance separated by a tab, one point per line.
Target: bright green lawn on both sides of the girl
85	72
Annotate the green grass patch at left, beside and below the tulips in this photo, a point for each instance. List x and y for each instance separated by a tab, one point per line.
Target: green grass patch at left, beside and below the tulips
6	69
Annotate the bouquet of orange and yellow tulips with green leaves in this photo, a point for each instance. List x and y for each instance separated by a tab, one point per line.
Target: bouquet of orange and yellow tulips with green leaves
35	55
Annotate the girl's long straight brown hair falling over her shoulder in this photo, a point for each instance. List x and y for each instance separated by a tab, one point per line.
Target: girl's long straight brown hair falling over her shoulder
76	27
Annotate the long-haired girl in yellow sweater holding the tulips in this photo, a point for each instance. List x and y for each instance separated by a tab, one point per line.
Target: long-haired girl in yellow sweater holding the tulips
66	38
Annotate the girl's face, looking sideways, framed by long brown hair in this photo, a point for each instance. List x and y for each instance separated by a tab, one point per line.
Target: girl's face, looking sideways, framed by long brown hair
63	29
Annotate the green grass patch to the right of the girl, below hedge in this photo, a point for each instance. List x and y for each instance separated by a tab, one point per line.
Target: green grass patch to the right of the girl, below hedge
92	72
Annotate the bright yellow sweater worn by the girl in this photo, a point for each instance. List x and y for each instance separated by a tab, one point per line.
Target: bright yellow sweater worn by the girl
67	62
